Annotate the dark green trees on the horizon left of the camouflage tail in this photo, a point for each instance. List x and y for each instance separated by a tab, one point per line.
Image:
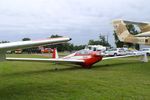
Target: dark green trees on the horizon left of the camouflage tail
65	46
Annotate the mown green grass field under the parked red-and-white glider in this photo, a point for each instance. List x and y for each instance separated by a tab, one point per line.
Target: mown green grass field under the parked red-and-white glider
118	79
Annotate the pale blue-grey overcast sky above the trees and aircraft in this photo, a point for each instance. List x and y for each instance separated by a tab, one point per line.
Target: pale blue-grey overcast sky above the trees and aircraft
81	20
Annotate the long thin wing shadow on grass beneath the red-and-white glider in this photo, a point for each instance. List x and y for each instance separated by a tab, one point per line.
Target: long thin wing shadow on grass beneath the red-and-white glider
72	68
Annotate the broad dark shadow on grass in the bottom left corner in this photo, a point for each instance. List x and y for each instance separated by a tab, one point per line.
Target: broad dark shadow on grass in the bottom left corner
26	91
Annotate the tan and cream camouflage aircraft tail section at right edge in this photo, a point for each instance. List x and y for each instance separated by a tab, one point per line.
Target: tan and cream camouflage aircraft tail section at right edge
125	36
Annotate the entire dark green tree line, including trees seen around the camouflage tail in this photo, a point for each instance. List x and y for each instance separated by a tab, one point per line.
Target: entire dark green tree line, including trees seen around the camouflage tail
71	47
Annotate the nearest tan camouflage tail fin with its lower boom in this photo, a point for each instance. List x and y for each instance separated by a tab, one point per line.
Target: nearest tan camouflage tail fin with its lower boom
124	35
